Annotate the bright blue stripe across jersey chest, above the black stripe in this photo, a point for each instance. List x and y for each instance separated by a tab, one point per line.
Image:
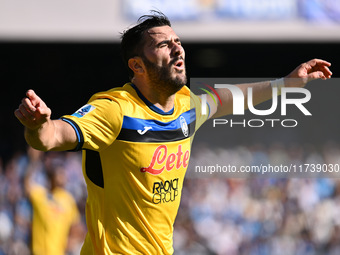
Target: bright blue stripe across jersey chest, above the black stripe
140	124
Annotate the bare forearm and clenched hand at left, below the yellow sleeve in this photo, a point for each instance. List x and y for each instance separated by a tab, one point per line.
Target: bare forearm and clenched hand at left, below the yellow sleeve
41	132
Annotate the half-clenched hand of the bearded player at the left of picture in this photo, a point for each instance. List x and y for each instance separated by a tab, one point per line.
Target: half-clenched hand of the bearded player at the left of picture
32	112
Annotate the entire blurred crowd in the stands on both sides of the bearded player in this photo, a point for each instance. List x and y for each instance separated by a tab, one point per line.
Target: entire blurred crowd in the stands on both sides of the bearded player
218	215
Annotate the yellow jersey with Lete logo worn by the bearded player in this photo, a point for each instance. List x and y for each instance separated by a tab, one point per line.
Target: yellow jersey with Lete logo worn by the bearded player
134	161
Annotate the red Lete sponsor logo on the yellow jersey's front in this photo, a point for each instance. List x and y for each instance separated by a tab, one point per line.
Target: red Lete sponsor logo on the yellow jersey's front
161	160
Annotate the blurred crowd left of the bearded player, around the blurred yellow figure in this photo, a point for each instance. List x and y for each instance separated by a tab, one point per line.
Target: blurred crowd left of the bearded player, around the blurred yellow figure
15	207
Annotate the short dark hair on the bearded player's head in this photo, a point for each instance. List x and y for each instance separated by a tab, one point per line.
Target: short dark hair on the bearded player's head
133	38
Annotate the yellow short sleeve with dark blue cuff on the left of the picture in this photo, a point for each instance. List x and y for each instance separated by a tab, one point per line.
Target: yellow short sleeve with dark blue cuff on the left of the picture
97	124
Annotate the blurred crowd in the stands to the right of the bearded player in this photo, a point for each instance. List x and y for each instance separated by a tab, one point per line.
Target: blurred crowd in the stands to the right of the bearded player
260	215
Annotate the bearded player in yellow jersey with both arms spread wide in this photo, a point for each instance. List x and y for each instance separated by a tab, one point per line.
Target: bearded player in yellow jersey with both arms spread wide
136	139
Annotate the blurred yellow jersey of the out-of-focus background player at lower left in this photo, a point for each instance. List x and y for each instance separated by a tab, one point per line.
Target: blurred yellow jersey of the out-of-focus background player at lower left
53	215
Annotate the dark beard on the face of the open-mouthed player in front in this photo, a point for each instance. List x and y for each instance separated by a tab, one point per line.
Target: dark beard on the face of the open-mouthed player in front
160	78
